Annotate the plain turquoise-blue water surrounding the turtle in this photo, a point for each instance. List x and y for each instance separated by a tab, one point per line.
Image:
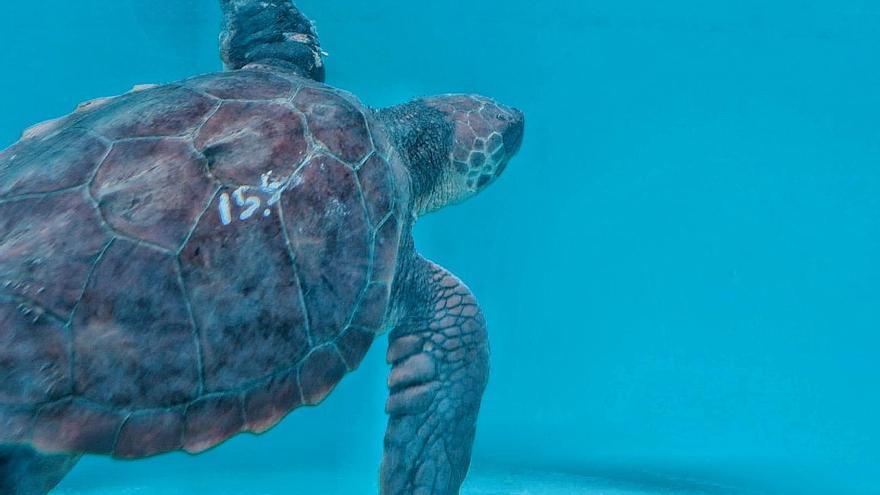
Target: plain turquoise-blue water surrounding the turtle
680	270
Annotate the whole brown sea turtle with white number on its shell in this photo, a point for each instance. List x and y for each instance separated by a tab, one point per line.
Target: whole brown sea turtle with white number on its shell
193	260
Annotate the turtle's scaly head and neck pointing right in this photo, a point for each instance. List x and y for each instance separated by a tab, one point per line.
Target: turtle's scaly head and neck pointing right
454	145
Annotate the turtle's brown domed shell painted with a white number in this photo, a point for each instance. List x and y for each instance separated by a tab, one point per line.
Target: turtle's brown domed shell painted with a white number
189	261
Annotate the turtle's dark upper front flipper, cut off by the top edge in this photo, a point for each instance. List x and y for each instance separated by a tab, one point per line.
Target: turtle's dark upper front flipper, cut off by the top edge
270	32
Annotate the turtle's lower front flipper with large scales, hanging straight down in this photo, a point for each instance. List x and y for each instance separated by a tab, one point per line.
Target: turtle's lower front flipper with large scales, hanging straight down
440	357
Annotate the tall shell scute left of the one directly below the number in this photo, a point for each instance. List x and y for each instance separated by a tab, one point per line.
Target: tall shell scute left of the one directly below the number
121	361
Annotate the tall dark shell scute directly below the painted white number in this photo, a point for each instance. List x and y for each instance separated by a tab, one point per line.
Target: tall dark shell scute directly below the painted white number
245	298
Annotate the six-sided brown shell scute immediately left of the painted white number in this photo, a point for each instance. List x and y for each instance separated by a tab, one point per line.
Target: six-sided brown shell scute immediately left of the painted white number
153	189
